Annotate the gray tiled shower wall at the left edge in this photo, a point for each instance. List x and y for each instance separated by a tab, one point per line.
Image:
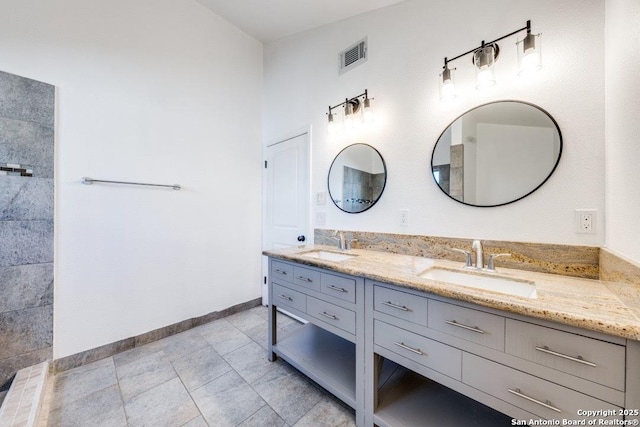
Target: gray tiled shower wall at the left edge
26	223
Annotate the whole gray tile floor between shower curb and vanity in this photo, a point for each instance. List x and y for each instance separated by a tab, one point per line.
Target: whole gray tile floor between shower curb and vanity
213	375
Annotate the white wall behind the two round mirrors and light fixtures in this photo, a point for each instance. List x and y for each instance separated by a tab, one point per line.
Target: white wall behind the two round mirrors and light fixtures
407	44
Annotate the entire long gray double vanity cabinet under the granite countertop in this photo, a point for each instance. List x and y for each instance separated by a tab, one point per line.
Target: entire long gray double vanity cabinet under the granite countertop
402	357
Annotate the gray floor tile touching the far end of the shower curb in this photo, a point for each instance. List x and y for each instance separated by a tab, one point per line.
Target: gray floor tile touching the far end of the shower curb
83	381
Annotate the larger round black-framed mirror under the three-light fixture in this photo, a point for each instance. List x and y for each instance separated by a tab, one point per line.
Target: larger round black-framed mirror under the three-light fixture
496	153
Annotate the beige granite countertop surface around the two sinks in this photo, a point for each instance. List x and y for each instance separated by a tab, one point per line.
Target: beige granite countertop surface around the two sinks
608	307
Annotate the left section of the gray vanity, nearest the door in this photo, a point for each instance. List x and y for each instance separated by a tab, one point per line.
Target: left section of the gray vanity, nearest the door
329	349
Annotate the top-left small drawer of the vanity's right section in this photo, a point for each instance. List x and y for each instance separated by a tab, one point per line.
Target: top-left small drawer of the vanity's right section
401	305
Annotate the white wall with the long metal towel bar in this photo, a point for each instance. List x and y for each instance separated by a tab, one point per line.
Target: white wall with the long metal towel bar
159	91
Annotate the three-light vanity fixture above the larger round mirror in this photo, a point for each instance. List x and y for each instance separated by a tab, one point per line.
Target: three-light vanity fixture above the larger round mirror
484	58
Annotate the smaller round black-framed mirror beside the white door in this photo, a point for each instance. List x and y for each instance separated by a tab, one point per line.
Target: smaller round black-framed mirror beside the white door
357	178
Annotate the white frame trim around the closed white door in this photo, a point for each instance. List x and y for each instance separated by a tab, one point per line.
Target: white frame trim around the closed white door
310	238
